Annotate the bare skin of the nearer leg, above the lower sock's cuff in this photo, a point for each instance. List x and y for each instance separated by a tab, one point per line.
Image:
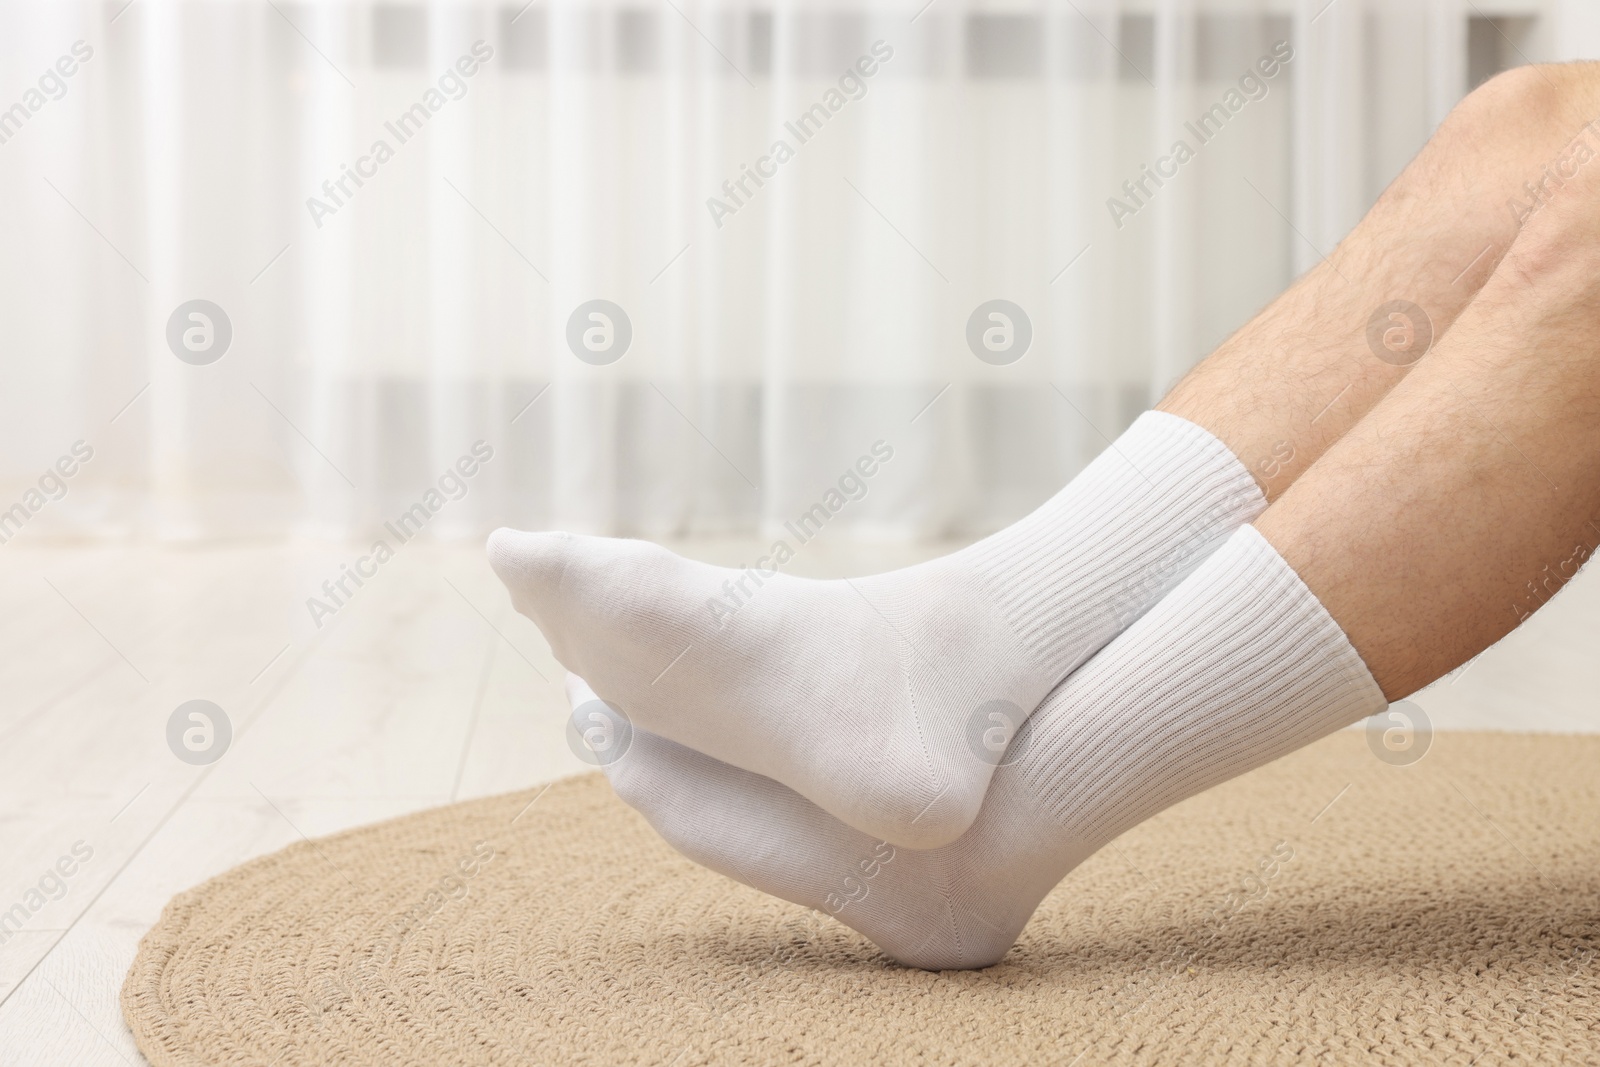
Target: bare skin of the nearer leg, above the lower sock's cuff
1473	492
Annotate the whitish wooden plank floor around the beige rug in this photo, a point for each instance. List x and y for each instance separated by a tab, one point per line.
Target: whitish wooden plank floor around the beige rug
423	690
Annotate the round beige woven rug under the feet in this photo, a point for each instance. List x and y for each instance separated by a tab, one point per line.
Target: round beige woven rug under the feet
1329	908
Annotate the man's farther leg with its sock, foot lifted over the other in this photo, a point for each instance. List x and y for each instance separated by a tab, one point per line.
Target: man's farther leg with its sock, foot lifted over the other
860	695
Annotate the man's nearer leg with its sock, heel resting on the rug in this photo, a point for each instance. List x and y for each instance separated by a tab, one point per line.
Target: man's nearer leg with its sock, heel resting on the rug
1463	502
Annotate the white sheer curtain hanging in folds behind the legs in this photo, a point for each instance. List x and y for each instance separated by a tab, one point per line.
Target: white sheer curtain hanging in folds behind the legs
383	329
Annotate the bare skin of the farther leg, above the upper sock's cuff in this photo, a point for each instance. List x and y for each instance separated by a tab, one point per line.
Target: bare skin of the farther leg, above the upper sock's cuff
1303	372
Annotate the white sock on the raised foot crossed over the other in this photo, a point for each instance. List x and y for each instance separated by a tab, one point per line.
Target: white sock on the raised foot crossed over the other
866	695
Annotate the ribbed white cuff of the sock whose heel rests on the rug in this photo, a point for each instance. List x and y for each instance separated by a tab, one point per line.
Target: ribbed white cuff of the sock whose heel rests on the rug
1236	668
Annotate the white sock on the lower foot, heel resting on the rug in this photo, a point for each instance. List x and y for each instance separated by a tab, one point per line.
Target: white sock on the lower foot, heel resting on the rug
1238	666
